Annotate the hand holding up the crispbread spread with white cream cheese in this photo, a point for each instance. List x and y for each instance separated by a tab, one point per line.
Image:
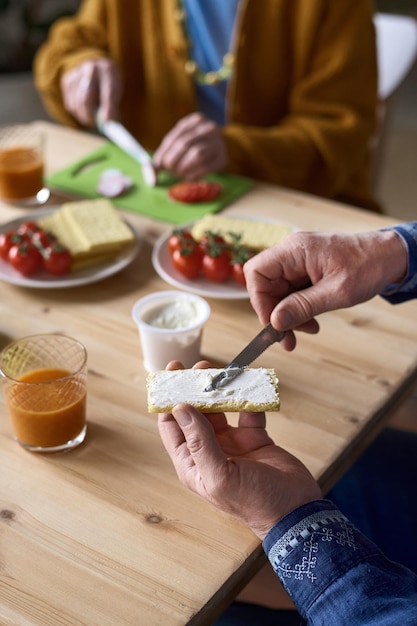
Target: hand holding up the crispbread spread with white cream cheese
238	469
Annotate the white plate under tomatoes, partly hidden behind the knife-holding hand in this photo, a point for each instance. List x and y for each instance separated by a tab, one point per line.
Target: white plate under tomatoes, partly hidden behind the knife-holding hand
161	260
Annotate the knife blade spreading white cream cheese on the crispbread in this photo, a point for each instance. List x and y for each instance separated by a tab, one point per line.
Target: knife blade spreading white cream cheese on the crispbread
259	344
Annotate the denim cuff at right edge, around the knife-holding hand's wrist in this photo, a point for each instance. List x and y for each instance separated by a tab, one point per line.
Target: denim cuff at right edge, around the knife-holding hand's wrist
407	289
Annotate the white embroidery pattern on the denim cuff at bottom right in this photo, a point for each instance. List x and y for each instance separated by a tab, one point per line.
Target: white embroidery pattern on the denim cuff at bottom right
309	532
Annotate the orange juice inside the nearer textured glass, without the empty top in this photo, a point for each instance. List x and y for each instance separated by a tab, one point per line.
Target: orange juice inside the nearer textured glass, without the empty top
47	415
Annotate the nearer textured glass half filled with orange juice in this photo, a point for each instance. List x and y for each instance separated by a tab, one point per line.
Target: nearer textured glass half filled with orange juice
45	384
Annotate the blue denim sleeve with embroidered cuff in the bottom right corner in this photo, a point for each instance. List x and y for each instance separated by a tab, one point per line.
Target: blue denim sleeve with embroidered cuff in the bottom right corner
335	575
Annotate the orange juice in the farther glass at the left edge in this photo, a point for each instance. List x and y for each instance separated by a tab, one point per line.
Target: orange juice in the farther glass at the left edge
21	173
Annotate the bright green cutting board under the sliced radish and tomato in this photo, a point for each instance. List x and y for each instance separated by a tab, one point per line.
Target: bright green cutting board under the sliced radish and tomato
81	178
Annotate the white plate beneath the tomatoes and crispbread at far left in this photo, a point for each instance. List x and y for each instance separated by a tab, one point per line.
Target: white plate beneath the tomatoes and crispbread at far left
43	280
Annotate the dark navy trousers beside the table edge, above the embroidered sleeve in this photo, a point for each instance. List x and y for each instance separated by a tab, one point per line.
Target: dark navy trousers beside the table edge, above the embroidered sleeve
379	495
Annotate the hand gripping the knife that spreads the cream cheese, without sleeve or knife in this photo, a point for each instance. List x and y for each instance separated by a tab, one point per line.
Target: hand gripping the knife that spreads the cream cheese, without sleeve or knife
310	273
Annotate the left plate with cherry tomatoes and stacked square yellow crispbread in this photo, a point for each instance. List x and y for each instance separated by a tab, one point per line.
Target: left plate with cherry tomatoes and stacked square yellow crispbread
100	241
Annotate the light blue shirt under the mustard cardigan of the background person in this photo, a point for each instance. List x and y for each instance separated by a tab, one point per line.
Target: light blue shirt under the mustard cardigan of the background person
210	25
